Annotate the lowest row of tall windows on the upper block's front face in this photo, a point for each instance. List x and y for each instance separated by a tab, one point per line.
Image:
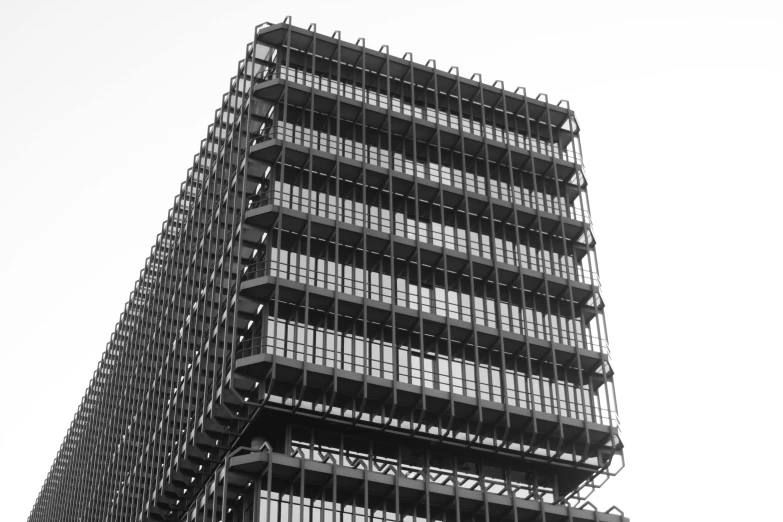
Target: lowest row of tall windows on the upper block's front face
438	366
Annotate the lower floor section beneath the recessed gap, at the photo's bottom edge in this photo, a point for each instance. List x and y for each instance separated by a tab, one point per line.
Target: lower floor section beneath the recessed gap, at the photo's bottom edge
261	486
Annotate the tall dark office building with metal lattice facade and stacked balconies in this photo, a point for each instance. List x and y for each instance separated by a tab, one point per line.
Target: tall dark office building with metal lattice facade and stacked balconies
375	298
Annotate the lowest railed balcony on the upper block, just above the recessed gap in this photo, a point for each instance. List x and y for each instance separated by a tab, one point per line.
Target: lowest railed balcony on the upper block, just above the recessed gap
467	382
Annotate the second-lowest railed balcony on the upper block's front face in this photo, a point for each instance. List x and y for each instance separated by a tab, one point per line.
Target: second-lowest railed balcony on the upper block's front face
411	304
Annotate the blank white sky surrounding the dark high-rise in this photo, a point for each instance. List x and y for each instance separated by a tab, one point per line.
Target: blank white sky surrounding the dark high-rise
680	109
